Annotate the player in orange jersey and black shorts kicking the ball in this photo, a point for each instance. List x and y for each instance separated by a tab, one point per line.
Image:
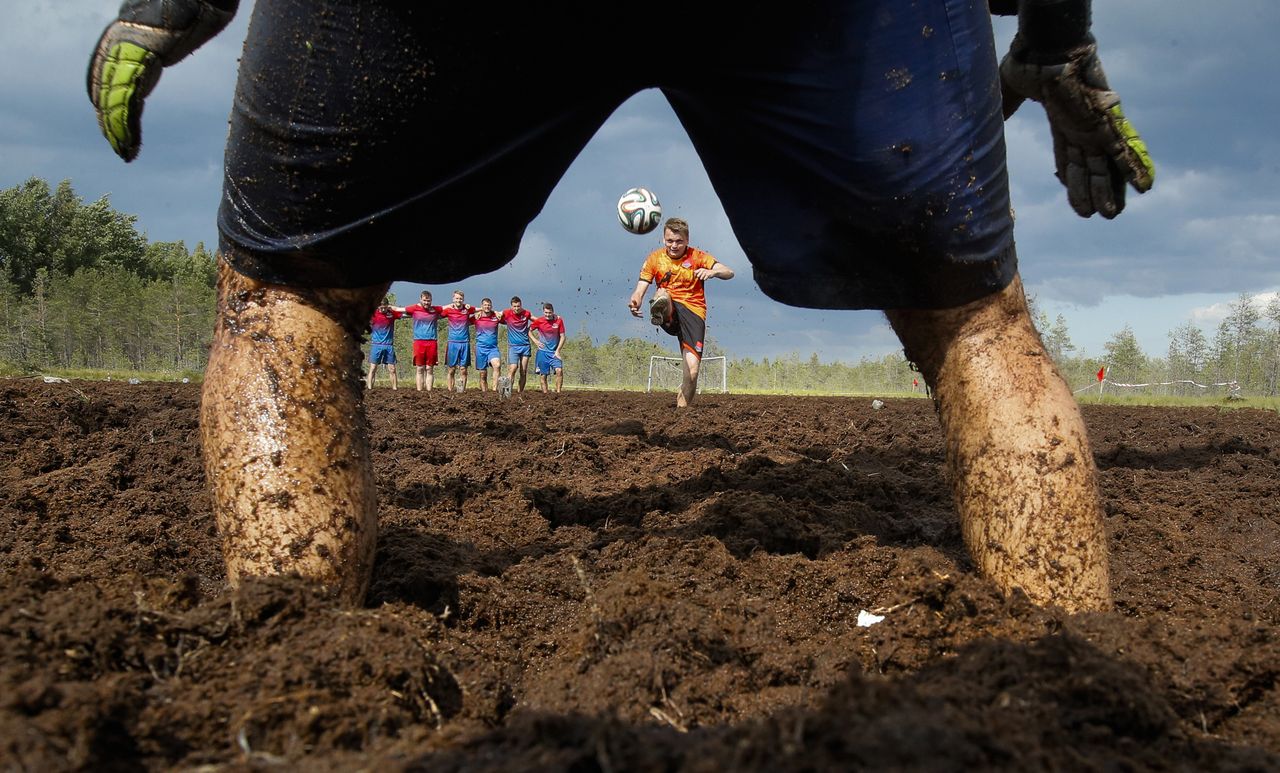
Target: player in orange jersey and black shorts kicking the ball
679	305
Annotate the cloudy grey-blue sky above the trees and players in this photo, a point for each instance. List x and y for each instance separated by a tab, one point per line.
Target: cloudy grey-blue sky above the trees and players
1196	79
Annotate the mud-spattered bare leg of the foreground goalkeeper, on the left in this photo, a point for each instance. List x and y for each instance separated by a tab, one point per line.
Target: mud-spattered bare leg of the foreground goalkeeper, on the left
285	434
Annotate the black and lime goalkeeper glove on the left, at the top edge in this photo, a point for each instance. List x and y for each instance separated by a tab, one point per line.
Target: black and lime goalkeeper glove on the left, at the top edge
149	36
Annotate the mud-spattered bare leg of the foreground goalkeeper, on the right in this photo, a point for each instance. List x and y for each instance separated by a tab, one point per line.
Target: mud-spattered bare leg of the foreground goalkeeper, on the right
1018	458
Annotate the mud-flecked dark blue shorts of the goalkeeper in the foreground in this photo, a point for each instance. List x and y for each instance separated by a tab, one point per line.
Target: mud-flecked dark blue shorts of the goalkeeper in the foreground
857	147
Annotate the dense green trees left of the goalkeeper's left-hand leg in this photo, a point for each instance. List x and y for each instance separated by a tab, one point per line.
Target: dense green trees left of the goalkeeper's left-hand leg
81	289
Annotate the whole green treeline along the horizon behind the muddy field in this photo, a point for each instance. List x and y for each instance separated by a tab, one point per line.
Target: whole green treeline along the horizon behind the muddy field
81	289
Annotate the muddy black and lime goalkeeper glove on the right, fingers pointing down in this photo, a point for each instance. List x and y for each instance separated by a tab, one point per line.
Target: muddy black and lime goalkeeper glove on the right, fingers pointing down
1096	149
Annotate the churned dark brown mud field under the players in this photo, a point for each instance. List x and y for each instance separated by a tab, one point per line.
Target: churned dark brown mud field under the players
591	582
